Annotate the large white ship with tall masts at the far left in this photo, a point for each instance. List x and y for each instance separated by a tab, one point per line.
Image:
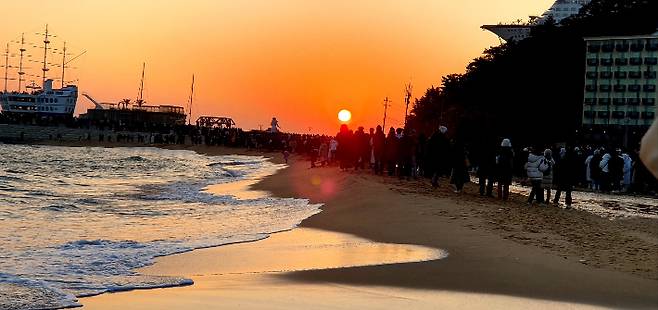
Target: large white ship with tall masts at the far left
35	100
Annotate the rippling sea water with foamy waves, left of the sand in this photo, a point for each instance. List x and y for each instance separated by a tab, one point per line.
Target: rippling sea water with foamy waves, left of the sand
78	221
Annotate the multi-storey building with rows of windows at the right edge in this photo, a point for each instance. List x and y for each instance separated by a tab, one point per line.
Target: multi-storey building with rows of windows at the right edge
620	81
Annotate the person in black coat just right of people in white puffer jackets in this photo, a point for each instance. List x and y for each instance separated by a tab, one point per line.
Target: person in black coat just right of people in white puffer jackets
566	175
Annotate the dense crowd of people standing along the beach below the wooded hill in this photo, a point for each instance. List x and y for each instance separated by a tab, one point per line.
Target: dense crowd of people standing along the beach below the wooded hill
495	163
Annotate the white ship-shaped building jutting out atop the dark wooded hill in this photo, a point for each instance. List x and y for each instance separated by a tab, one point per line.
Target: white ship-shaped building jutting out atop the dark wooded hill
560	10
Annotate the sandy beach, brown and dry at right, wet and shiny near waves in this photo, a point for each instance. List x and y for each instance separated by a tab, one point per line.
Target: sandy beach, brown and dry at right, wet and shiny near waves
501	255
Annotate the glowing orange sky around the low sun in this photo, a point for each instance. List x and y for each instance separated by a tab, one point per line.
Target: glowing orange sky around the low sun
299	60
